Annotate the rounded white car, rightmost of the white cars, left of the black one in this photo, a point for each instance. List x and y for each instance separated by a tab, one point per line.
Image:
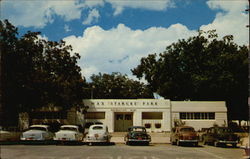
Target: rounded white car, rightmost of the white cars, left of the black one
97	134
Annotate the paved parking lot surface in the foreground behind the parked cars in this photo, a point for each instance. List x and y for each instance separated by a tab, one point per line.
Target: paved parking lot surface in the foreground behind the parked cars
118	151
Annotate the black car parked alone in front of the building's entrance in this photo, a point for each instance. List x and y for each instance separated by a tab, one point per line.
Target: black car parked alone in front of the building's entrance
137	134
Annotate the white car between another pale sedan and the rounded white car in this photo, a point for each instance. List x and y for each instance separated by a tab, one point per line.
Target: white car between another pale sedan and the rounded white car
68	133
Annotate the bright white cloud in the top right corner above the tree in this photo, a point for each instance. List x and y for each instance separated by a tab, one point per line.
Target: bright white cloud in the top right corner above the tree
231	20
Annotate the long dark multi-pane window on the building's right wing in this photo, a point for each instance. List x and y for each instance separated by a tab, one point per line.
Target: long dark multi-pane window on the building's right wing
197	115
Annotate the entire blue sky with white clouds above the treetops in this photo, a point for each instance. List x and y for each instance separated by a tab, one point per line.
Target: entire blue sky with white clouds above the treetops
113	35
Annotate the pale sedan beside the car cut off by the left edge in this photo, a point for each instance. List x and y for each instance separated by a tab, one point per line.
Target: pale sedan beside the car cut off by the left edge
37	132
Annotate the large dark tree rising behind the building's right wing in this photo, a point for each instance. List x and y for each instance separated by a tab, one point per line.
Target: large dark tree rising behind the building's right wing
201	68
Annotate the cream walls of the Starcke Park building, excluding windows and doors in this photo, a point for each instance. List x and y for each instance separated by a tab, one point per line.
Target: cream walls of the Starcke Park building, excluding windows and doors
170	112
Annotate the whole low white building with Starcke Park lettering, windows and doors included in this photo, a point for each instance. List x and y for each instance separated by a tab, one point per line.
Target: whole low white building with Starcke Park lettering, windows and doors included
157	115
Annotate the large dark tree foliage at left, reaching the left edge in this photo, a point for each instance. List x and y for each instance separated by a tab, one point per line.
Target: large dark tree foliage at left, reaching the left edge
37	72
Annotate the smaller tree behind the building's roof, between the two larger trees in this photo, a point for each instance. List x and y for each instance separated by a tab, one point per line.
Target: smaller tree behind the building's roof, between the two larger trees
117	86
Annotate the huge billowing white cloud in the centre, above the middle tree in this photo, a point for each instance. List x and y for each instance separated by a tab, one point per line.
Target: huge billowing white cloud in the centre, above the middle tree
120	49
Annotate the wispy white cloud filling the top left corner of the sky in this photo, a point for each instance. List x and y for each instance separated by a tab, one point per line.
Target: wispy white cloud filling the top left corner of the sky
40	13
